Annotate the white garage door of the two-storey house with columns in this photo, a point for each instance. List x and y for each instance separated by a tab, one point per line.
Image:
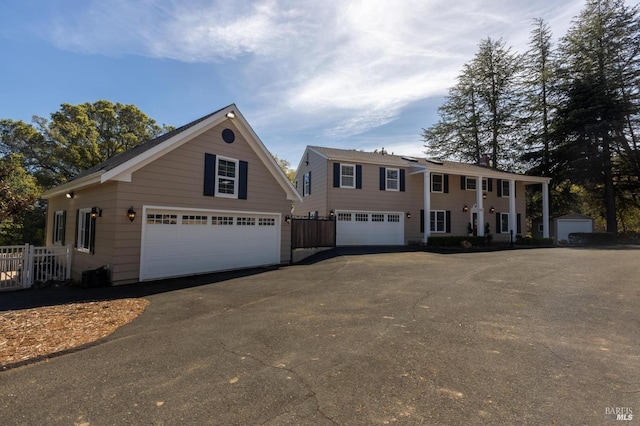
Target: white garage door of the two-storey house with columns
357	228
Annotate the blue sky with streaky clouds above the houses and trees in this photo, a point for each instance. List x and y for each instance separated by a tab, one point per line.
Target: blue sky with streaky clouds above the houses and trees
347	74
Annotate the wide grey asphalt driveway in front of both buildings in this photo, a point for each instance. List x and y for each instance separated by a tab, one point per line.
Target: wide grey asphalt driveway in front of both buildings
544	336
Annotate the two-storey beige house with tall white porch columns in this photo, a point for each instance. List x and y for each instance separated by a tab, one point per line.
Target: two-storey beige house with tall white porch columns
381	199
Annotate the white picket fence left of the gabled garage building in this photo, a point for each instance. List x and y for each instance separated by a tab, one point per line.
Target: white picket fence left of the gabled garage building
22	266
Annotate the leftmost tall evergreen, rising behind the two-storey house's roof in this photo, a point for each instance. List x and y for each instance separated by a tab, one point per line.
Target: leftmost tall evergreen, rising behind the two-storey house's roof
477	116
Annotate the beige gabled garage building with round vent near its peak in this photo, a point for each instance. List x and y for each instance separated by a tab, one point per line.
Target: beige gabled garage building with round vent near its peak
205	197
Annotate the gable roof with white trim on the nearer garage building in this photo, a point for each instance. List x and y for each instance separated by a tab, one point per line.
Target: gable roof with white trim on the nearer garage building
120	167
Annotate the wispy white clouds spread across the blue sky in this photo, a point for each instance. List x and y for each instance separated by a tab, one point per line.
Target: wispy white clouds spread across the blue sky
348	66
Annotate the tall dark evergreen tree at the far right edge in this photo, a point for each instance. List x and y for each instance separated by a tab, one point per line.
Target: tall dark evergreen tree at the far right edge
599	72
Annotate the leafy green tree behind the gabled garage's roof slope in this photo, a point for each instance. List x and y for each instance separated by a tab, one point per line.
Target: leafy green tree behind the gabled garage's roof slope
76	138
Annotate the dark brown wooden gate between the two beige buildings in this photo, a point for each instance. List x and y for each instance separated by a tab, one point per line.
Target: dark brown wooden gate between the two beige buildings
313	232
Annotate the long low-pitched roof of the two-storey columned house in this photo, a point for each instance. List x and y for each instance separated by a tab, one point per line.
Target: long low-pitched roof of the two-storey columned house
420	165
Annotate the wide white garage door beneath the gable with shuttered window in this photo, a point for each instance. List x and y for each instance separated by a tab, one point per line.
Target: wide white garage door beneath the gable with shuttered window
183	242
